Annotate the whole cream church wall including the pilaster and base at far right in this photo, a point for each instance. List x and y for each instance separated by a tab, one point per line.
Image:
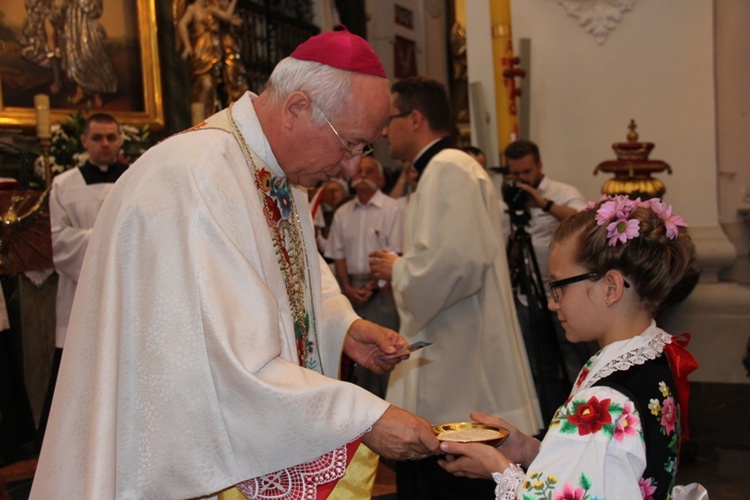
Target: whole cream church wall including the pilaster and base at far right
659	67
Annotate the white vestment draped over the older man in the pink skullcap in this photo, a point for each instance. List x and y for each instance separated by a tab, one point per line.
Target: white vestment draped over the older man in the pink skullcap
180	374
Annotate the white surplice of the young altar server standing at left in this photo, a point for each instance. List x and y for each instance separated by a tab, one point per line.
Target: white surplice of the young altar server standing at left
73	207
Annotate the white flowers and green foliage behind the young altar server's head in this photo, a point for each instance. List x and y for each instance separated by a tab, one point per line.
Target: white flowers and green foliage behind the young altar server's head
66	150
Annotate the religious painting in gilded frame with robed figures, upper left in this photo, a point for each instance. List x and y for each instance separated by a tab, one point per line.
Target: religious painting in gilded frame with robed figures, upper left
85	54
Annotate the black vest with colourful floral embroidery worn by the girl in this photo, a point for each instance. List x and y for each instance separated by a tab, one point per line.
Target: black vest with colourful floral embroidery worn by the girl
652	389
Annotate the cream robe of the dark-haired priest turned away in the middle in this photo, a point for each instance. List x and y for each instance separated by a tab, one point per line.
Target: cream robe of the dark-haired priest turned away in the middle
452	288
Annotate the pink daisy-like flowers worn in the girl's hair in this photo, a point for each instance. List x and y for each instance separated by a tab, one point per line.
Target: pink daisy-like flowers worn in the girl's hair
615	212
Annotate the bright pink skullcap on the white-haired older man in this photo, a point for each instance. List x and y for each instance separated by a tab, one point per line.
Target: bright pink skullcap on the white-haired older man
343	50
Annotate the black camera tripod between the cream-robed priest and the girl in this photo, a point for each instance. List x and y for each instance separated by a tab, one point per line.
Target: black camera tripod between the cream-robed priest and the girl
544	351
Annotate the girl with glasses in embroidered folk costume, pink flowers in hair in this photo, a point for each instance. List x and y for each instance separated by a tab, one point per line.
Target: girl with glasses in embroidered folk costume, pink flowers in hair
618	434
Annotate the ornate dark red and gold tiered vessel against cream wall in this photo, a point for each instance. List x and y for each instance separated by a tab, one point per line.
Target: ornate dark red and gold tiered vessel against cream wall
632	169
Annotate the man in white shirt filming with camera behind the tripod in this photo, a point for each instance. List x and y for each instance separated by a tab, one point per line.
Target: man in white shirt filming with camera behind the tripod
546	204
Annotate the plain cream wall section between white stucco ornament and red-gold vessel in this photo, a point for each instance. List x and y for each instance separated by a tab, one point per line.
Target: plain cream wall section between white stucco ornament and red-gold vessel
655	67
